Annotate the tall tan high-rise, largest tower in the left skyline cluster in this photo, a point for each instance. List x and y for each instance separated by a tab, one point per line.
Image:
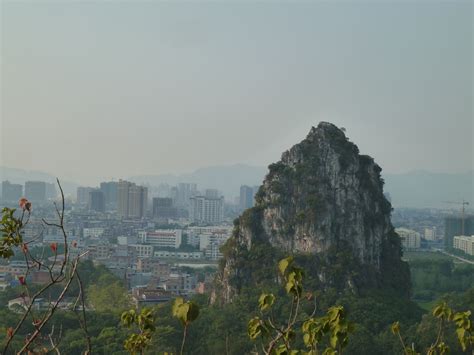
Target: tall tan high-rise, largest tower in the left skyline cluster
132	200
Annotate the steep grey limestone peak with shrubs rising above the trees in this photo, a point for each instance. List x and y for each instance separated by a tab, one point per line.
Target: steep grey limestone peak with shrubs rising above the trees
325	202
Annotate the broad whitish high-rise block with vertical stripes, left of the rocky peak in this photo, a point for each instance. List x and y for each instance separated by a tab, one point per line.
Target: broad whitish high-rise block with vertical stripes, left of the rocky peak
207	210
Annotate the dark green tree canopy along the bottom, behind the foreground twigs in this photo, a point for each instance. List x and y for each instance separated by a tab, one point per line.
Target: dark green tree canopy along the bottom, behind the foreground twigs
223	329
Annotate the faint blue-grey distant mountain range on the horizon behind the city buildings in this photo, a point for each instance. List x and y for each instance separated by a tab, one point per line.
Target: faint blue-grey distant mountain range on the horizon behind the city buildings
417	189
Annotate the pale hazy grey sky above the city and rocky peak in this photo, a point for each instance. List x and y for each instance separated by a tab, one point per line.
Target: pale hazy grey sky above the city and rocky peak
93	90
